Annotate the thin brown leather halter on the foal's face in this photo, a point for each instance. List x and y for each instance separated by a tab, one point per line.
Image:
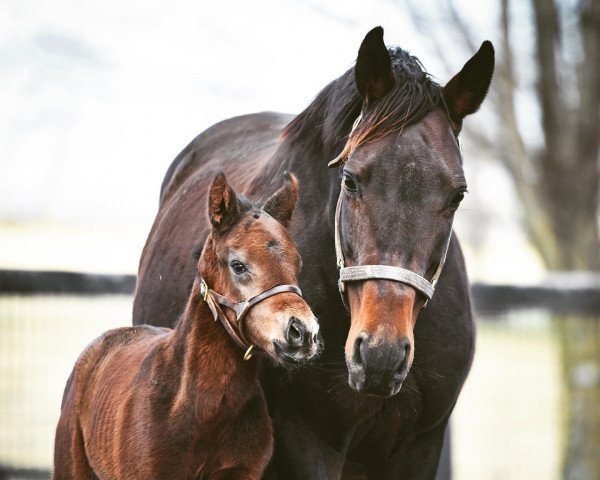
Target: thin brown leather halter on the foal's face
235	328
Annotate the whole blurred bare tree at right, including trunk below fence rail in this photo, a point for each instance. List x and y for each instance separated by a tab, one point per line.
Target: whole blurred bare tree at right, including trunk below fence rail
557	180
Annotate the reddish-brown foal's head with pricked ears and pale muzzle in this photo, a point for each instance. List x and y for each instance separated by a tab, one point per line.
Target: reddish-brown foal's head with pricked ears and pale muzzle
250	251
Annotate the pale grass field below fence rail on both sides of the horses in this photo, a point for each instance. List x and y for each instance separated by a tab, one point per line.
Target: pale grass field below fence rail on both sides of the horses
506	424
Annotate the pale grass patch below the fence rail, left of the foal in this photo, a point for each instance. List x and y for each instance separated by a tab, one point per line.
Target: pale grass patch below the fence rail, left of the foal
40	339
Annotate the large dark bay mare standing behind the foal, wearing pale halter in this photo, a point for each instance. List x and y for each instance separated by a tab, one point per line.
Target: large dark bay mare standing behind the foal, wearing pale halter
376	403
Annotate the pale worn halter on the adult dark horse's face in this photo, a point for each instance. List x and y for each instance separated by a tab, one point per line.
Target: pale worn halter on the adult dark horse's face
386	272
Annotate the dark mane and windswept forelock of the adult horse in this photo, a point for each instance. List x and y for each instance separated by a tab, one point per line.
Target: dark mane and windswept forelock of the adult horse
335	108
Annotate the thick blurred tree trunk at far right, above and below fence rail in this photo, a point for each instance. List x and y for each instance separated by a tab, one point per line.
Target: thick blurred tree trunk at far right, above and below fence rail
569	179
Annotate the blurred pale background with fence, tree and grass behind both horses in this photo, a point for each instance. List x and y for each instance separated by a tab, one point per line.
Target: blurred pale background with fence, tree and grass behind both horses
97	98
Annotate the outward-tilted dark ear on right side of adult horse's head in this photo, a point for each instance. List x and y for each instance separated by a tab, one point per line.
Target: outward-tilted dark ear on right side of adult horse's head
465	92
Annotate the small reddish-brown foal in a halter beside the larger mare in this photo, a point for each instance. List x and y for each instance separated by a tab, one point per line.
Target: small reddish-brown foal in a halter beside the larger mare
153	403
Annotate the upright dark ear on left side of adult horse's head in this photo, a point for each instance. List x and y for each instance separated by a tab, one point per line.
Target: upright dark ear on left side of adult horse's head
373	71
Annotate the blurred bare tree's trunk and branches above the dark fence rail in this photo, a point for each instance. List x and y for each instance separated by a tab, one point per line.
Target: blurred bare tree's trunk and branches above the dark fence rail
557	182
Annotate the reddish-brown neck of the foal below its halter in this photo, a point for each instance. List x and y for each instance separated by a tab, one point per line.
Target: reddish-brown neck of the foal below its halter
210	361
